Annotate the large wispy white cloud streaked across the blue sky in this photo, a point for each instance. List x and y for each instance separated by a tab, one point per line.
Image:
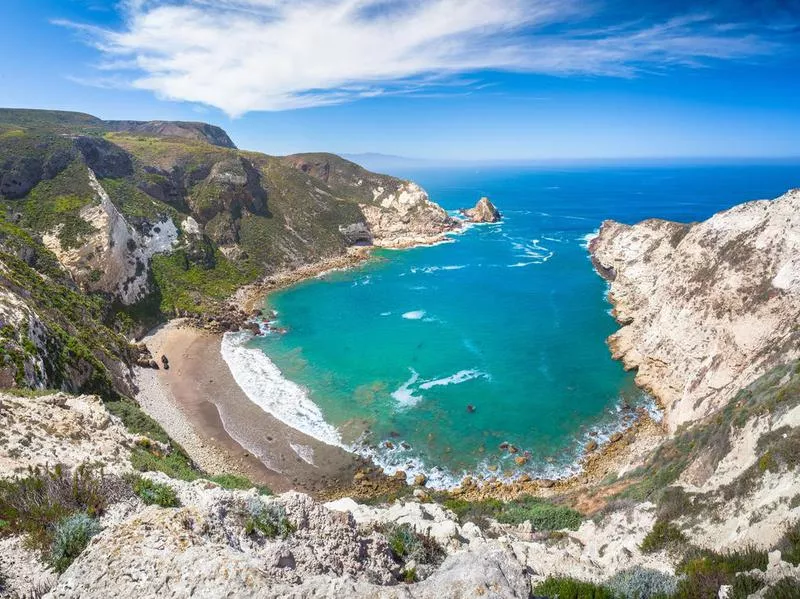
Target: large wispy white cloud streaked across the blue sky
246	55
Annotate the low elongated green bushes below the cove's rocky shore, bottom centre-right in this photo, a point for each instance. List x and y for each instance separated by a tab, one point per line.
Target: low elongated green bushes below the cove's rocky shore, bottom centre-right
542	514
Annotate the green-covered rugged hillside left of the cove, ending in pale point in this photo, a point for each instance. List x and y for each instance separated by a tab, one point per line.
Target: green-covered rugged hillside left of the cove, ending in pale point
146	220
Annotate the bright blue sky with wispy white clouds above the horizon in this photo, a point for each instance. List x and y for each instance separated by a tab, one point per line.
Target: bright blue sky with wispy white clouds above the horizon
447	79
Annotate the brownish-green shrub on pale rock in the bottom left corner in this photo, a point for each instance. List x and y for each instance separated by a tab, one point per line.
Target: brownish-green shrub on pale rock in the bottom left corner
34	505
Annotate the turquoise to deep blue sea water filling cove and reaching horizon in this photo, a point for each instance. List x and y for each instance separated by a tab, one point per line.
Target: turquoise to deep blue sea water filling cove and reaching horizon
509	318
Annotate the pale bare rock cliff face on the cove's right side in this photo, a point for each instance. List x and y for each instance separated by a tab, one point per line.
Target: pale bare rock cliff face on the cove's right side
705	308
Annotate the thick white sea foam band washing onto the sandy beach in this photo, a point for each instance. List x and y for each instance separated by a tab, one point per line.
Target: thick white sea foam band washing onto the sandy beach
265	386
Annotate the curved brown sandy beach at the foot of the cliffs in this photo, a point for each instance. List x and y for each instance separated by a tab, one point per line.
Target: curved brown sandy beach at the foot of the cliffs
197	394
